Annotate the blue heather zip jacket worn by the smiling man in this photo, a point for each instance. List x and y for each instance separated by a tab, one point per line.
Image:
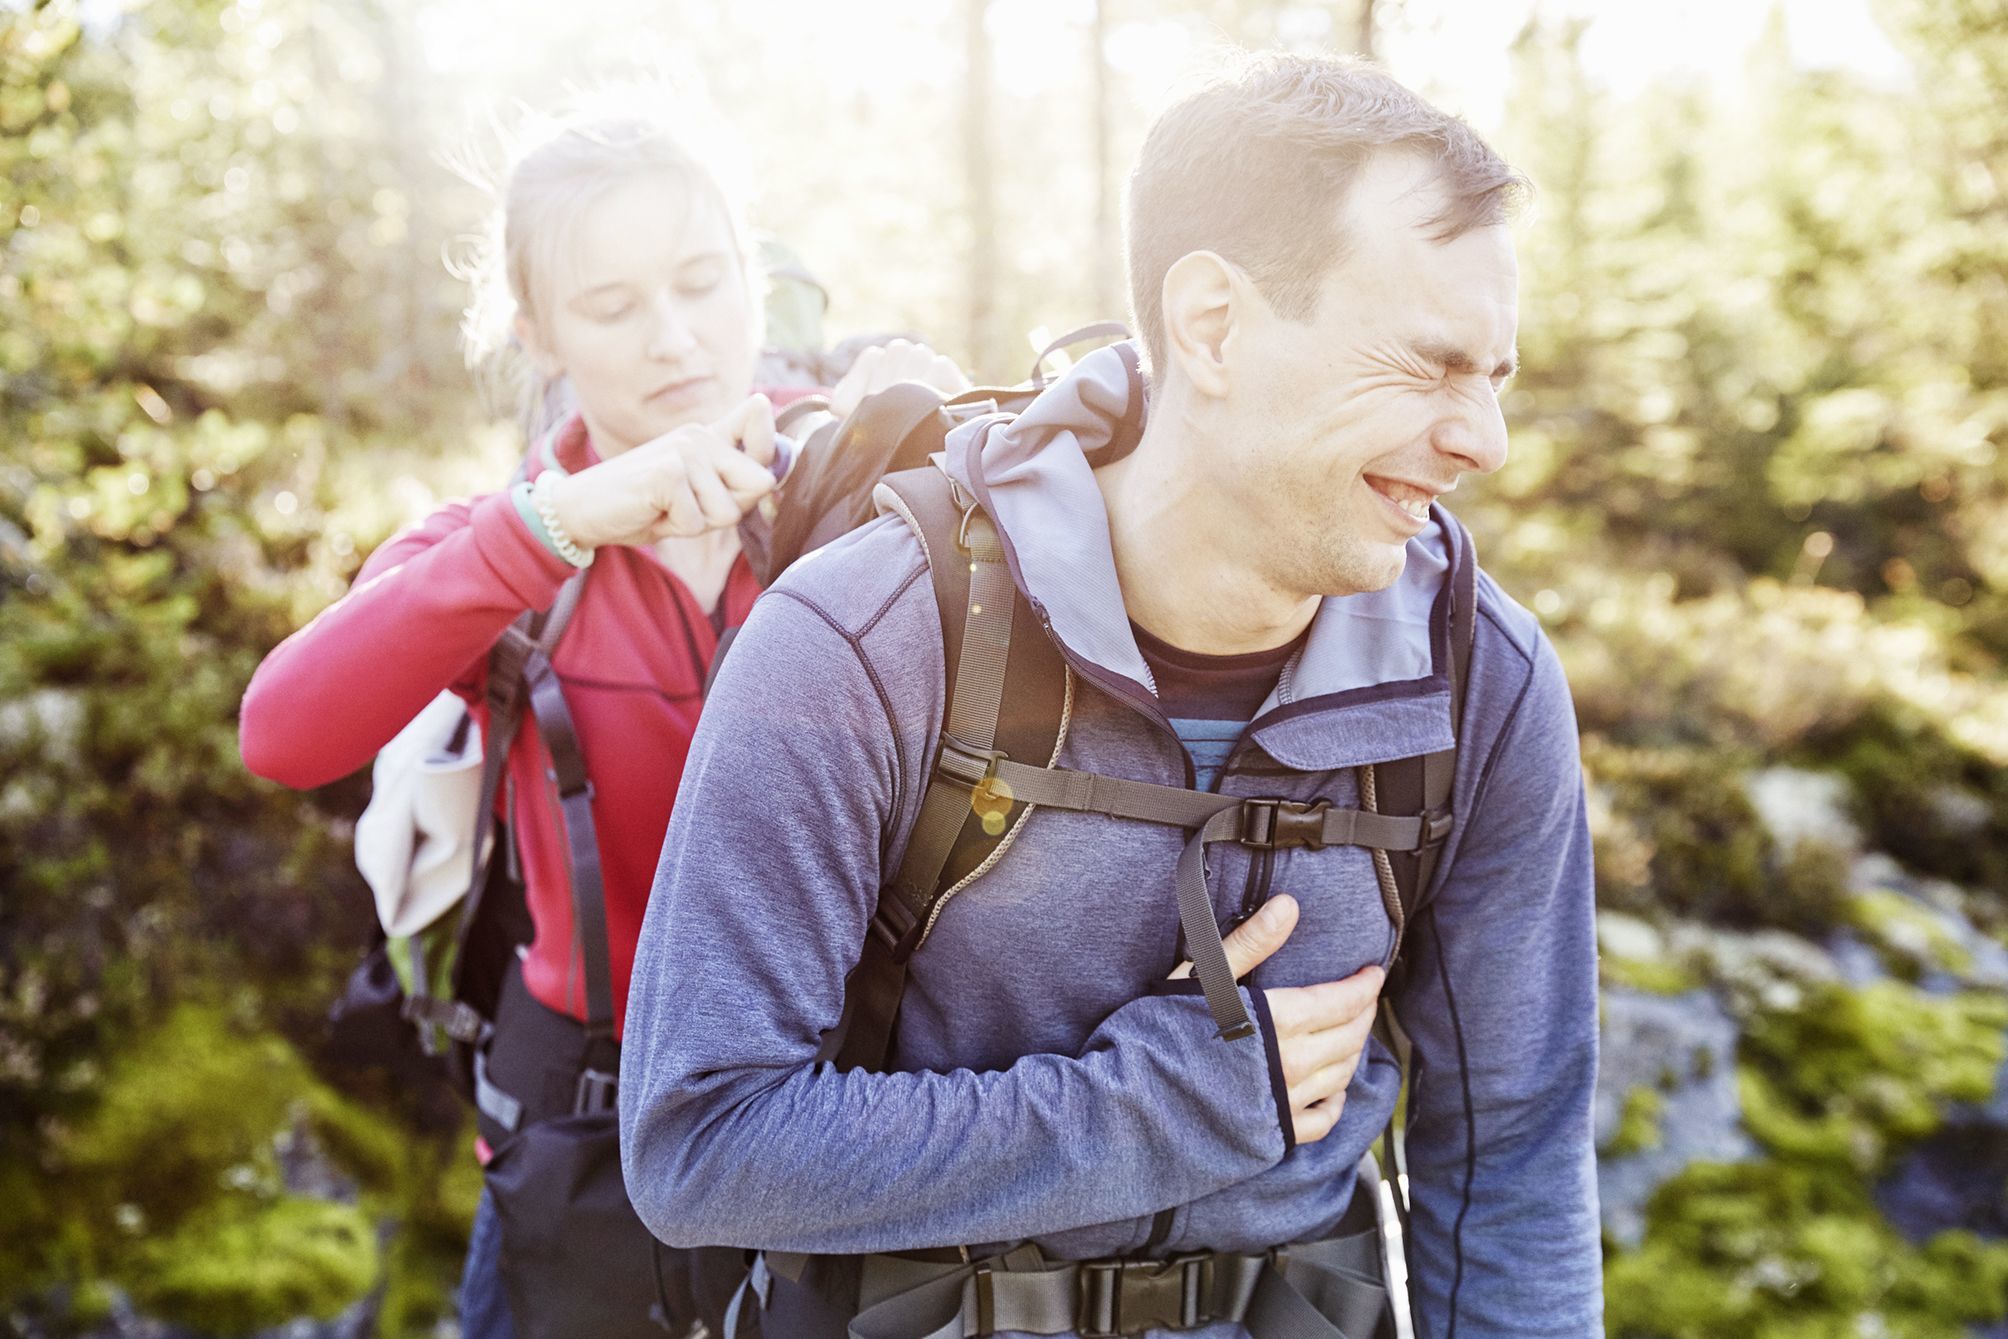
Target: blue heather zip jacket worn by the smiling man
1043	1091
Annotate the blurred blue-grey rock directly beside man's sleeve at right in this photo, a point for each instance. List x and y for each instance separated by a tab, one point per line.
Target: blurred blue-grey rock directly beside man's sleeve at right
1682	1047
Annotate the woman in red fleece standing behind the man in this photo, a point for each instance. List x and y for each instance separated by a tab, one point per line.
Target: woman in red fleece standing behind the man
625	270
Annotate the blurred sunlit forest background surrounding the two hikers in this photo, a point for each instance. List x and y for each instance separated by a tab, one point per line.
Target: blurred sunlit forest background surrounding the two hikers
1758	495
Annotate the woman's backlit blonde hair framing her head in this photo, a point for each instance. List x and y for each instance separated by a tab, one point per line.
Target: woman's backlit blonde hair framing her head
549	172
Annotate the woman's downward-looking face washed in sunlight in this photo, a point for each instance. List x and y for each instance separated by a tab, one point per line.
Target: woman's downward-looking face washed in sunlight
650	314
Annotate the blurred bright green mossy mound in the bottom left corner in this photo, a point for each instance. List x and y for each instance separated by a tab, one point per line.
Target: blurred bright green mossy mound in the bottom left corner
226	1189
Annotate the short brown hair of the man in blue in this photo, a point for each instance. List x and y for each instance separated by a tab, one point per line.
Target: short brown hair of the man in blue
1256	164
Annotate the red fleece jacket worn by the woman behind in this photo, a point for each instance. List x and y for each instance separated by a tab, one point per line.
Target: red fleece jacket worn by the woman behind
423	615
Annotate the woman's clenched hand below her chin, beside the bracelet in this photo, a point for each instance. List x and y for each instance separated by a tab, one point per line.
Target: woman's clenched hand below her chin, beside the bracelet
690	481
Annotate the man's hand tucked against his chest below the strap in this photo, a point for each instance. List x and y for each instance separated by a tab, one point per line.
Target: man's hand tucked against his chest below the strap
1320	1031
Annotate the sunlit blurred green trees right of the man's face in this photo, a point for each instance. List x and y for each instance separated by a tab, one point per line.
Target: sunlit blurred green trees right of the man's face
1716	380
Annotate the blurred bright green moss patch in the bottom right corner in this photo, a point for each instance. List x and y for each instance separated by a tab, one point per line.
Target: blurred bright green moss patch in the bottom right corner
1792	1252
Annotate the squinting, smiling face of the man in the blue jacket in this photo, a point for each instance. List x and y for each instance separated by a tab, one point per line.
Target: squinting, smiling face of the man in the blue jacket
1346	427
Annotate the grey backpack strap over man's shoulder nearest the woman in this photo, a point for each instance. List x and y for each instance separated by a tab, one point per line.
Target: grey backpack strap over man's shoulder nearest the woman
1007	696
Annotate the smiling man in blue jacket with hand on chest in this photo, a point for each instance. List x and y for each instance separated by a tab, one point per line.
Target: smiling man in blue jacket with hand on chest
1250	601
